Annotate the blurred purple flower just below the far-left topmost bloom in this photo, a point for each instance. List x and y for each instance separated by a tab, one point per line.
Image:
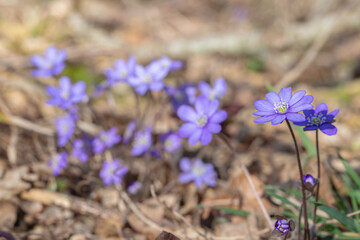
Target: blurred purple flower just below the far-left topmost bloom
66	95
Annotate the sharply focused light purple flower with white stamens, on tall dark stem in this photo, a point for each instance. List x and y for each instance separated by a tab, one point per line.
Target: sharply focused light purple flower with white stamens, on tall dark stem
284	105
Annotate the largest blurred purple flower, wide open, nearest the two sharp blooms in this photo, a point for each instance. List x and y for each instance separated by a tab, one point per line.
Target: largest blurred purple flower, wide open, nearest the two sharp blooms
201	122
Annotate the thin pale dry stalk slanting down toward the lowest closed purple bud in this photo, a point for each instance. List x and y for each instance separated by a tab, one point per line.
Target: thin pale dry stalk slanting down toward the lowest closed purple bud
251	182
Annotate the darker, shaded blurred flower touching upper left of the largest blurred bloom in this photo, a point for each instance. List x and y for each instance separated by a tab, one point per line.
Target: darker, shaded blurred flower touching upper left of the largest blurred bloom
185	94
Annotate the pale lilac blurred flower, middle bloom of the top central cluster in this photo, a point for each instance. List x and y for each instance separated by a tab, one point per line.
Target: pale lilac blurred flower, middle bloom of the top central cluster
147	78
